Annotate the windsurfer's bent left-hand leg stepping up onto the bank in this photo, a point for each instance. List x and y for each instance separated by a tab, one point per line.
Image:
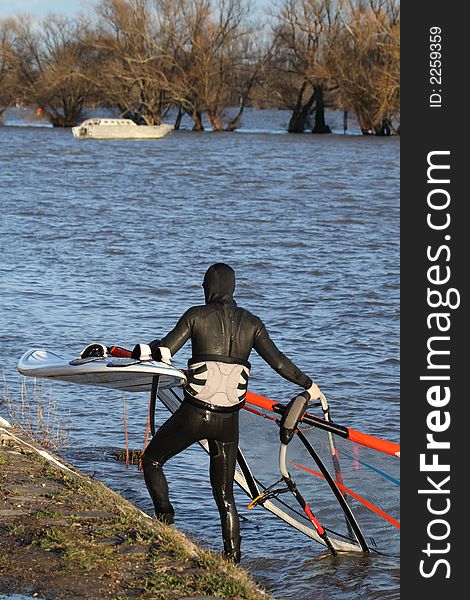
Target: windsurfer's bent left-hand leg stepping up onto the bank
175	435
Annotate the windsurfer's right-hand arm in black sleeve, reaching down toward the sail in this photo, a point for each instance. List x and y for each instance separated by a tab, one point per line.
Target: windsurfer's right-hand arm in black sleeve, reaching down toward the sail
268	350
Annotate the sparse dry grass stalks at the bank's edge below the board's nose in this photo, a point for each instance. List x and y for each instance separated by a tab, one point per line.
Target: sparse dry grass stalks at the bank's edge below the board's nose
33	410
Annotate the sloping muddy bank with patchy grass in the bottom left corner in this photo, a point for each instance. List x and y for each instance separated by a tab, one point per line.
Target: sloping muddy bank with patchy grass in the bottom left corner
65	535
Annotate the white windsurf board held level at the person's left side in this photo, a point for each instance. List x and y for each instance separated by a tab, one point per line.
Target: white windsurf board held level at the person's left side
125	374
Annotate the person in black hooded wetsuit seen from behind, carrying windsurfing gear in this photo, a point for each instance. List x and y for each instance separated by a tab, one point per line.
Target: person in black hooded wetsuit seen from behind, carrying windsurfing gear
222	336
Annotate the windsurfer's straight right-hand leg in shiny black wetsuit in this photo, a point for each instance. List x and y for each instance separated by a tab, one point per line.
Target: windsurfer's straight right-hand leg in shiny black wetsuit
222	471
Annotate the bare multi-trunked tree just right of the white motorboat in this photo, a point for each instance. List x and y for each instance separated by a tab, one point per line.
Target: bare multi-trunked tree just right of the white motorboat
215	61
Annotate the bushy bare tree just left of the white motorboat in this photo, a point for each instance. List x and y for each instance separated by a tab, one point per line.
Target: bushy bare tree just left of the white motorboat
54	67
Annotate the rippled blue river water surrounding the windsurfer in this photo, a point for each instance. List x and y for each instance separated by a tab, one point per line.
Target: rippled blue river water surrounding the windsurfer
109	240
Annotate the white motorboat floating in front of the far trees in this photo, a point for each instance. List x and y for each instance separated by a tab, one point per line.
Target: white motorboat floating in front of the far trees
119	129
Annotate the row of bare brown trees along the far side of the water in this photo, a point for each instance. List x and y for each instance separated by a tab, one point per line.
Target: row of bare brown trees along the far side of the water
144	58
